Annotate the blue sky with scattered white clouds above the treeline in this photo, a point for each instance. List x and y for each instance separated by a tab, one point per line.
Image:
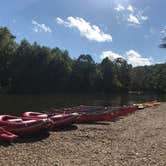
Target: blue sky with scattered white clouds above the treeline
130	29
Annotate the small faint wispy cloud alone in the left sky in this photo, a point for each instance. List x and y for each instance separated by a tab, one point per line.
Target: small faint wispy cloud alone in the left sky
40	27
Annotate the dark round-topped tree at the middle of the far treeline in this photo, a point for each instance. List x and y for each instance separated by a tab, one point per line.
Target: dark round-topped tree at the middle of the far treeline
85	74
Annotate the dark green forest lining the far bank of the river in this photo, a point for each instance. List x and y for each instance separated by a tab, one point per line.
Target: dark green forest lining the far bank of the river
32	68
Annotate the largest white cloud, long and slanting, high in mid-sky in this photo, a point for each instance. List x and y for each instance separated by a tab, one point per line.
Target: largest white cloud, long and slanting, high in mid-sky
91	32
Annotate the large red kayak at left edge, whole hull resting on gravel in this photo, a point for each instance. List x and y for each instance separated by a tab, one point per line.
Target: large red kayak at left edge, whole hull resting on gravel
23	126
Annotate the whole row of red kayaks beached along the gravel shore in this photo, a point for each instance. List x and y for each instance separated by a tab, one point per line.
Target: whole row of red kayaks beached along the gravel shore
29	123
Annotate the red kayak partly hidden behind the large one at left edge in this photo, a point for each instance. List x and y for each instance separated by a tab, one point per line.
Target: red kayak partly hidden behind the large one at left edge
58	119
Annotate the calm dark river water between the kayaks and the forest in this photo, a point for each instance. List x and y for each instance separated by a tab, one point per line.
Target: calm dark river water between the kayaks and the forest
17	104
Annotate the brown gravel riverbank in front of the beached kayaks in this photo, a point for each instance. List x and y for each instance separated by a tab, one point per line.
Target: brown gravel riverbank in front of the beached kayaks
137	139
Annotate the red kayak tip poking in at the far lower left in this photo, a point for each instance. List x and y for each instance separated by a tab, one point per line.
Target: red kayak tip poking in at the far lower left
5	135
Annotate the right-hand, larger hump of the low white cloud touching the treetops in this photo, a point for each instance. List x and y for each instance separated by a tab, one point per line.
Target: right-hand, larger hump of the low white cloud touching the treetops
135	59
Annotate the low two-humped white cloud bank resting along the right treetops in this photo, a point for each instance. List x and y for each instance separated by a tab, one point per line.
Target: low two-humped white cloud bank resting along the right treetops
131	56
